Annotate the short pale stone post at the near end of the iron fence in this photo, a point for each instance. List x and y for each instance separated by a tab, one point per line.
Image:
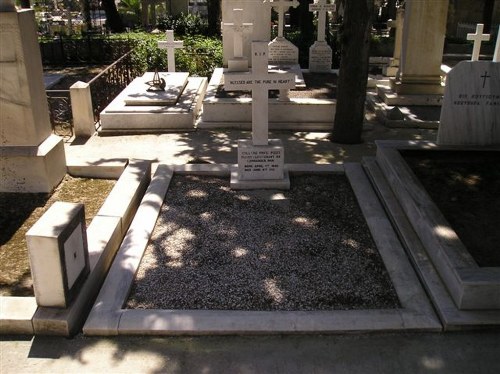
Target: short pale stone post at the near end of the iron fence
81	105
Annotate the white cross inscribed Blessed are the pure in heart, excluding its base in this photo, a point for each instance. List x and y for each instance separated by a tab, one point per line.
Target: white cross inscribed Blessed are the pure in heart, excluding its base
260	81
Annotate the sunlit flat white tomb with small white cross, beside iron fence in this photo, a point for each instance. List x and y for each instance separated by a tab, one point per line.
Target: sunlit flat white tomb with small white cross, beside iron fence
172	102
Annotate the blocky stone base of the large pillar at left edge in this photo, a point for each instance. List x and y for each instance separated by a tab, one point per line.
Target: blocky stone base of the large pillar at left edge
32	169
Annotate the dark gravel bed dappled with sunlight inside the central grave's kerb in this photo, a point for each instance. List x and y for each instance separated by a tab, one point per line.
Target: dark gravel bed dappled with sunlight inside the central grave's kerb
216	248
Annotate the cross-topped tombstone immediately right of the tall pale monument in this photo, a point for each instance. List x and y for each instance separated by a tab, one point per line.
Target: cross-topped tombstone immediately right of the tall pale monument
281	50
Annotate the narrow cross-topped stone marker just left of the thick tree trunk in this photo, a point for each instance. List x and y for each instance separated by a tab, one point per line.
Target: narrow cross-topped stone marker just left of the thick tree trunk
320	53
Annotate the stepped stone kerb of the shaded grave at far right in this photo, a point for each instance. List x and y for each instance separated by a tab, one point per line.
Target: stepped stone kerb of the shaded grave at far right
438	266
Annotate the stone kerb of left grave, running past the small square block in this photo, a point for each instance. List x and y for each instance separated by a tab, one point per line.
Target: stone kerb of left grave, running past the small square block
20	315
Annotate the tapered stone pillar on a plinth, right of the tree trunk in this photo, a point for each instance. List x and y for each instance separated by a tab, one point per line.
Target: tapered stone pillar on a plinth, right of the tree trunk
422	51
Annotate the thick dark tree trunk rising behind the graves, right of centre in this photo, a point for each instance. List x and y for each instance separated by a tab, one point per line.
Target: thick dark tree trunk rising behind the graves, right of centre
353	74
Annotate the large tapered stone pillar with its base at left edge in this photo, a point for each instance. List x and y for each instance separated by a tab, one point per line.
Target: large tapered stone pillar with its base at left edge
31	158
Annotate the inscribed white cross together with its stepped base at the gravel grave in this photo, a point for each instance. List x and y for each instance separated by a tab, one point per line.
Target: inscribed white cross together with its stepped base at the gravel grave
261	160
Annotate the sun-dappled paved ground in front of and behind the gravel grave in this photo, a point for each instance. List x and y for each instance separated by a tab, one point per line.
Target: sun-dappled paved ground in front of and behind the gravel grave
458	352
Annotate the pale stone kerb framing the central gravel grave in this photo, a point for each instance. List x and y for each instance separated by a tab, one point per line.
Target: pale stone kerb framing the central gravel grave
108	316
